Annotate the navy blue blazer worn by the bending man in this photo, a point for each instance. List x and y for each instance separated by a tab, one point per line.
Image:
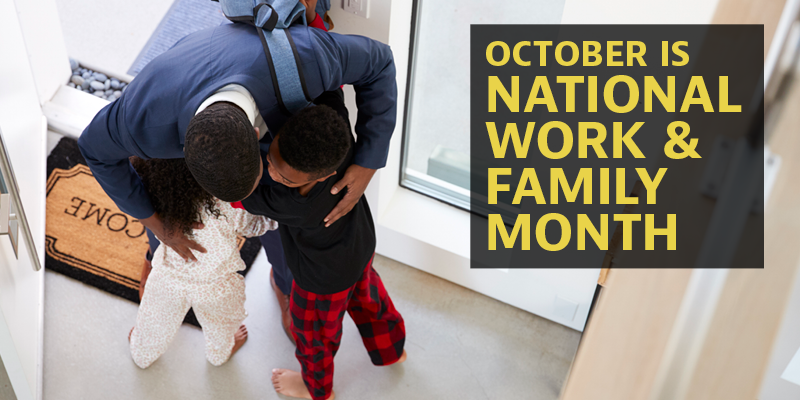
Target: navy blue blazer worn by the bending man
149	120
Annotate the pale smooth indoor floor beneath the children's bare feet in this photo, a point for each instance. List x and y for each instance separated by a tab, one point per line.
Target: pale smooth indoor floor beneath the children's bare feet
461	346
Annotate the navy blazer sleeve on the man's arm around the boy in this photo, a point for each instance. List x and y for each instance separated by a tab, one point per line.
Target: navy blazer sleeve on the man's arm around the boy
368	65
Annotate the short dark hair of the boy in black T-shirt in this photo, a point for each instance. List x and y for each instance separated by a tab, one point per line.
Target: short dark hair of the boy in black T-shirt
315	141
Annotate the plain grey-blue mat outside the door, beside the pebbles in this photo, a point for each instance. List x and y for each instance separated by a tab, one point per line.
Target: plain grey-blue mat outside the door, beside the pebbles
183	18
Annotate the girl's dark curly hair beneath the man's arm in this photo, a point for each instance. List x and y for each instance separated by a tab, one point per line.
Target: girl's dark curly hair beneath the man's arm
176	196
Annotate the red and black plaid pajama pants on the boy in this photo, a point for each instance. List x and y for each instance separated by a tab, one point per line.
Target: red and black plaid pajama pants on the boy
317	328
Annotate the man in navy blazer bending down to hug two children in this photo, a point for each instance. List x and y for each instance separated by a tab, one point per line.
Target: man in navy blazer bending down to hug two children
227	65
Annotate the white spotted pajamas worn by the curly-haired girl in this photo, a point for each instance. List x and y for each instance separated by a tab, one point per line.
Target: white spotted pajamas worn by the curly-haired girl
210	286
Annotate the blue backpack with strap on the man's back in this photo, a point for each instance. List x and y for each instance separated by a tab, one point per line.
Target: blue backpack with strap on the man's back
271	19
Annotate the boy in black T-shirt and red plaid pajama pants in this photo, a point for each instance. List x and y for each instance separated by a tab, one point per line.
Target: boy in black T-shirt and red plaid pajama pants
332	266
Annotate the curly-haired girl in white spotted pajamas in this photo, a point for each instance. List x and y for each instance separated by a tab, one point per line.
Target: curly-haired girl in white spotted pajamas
211	285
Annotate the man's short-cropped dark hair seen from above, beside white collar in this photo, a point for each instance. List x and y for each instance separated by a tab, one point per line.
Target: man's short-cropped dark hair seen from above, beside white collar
221	151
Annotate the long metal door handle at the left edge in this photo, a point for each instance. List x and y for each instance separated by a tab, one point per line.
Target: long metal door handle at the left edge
12	213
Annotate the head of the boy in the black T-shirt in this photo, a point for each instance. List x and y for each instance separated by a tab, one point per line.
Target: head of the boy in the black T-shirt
309	147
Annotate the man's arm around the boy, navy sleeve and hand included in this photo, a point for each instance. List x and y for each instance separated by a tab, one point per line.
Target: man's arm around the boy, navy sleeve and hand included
369	66
